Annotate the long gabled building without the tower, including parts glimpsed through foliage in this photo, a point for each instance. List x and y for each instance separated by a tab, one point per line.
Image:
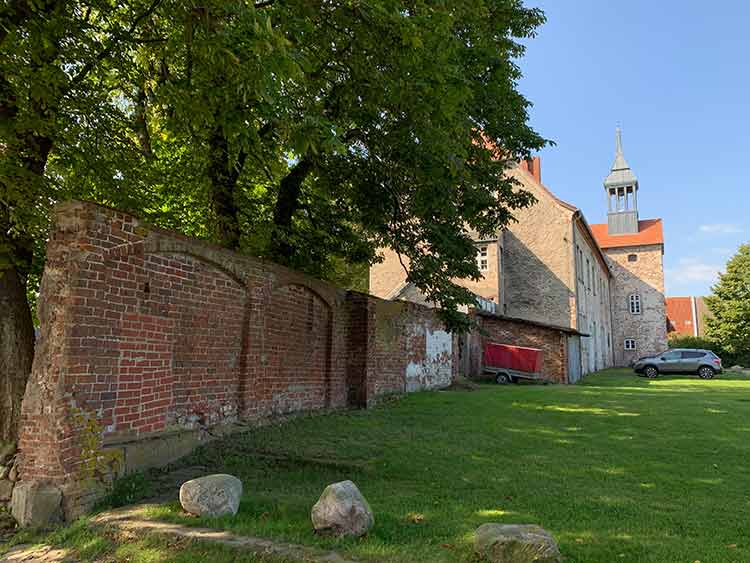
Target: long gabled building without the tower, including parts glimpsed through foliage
558	282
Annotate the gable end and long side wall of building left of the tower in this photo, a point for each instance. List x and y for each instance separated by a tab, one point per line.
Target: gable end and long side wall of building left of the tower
554	272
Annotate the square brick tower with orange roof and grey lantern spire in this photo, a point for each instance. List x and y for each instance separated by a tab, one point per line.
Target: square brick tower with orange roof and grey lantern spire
634	250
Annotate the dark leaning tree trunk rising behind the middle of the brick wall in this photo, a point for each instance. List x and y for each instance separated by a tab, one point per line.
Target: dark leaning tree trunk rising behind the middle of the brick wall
286	206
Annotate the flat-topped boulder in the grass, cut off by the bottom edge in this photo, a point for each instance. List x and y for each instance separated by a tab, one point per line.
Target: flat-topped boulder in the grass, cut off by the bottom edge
514	543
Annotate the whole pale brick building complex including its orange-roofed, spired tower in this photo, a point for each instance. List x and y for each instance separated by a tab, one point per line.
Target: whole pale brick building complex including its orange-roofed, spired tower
604	283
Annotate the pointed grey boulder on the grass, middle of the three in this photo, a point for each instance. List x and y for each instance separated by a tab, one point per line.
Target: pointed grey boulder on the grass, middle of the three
342	511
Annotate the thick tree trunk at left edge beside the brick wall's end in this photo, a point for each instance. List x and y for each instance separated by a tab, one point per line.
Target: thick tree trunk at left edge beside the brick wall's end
16	350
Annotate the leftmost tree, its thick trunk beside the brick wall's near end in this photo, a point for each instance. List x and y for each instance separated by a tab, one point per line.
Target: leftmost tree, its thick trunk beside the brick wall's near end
52	55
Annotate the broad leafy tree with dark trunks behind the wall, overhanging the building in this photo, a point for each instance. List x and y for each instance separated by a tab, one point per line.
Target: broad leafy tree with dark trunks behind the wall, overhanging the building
326	130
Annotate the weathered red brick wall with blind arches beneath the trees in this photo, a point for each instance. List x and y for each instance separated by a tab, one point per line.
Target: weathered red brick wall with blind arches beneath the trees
146	333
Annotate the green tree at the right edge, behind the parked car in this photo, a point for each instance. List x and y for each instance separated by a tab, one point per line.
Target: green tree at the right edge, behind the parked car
730	305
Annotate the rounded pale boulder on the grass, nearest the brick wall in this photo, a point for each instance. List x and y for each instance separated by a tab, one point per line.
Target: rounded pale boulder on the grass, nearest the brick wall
213	495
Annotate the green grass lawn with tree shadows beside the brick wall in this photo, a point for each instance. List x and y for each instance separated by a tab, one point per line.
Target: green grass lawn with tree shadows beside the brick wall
618	468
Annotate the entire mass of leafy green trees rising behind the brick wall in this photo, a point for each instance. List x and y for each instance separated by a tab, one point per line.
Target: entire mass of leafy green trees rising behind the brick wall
312	132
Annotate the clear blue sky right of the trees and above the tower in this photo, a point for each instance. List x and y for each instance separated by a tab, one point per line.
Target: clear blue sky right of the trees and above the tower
676	76
